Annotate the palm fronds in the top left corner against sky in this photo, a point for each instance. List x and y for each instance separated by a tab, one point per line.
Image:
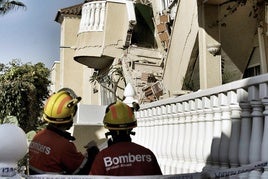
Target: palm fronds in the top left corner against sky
7	5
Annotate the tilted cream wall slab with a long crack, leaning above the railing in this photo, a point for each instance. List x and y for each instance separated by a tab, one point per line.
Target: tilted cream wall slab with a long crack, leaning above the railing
182	43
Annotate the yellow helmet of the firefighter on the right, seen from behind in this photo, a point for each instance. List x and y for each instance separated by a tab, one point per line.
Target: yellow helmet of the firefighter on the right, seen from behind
119	116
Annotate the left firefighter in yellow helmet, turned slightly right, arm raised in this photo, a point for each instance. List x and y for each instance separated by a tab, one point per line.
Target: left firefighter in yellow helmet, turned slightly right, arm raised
52	149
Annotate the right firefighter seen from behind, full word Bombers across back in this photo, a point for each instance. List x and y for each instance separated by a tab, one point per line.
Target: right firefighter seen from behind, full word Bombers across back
123	157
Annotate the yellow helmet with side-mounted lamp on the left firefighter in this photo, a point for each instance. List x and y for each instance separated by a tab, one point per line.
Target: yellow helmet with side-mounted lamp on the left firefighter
61	107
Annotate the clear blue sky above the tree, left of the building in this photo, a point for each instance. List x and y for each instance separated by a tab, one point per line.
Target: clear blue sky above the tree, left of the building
32	34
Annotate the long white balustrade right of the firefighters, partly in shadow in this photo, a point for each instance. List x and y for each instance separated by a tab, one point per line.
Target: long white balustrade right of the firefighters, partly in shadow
218	128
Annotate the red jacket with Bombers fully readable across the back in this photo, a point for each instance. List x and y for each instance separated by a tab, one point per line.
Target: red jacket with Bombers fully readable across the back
125	159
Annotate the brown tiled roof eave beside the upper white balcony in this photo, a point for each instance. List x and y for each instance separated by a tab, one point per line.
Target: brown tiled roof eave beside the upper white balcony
72	10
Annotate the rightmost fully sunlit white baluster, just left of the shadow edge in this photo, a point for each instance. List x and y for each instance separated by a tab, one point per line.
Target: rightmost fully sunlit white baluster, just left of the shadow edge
200	136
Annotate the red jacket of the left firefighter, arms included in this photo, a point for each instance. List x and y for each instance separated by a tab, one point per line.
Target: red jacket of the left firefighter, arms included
51	152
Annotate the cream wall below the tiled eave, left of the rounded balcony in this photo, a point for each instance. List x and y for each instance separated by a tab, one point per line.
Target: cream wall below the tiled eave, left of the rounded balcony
73	74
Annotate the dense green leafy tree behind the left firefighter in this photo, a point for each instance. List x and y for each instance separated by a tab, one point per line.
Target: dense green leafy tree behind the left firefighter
23	88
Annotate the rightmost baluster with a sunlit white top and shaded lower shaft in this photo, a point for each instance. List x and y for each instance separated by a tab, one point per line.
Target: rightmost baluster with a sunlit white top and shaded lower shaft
235	129
